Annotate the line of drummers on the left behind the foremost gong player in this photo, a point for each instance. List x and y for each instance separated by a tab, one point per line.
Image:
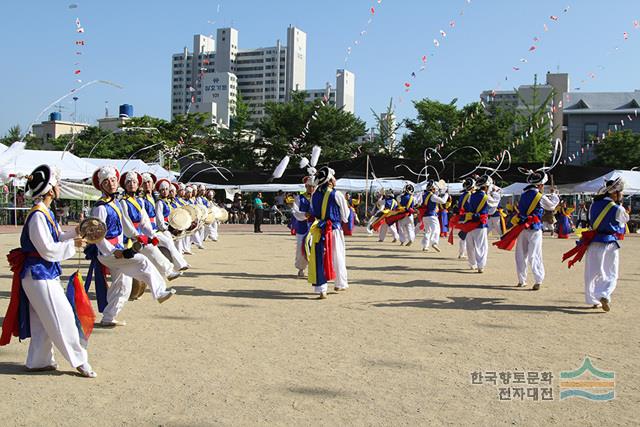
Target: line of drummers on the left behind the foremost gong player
129	225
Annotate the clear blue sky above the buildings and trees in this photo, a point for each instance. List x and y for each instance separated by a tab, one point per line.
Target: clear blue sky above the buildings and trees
131	42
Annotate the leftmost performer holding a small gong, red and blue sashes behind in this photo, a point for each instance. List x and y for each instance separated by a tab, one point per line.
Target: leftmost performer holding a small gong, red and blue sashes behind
39	307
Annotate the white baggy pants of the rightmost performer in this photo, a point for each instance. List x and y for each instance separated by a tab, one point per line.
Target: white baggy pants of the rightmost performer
600	271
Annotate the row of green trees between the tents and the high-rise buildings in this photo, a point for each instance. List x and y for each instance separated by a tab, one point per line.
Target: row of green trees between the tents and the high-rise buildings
246	146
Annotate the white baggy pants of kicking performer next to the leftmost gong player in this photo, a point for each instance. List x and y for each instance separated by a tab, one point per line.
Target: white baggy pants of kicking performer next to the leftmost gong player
122	270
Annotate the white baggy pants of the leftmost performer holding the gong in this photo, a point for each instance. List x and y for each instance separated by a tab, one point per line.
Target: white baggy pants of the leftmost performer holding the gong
52	323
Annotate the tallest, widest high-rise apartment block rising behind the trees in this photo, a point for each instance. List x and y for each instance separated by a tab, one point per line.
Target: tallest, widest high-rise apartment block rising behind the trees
261	75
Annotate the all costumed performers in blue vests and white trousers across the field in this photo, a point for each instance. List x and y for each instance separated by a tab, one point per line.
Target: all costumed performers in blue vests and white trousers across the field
135	236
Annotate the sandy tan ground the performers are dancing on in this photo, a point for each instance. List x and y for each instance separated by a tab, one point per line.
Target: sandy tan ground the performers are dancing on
244	342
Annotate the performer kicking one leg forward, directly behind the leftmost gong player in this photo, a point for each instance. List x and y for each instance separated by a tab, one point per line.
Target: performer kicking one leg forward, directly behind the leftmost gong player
123	263
